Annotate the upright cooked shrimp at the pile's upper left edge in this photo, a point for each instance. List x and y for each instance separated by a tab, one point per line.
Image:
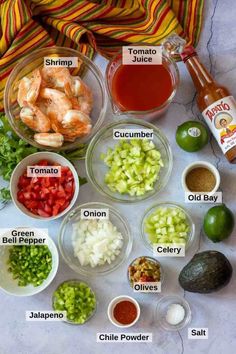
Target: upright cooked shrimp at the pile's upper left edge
29	88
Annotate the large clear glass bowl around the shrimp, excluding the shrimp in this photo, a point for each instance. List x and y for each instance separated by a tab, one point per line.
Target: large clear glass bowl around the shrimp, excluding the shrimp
90	74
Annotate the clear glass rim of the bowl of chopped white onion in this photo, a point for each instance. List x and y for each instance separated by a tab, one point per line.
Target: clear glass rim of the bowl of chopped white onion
93	272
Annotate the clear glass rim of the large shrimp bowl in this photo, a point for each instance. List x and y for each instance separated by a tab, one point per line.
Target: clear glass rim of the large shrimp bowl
47	51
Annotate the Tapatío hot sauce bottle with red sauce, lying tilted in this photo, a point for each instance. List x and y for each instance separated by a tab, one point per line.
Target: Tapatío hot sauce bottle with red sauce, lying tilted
215	102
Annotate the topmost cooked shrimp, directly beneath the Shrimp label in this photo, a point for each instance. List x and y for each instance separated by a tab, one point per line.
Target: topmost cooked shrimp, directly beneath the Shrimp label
58	78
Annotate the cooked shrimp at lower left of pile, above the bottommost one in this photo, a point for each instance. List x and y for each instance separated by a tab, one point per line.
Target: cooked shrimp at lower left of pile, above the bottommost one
35	119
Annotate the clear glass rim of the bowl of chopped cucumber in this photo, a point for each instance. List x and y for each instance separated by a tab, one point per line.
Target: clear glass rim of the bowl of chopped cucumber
98	137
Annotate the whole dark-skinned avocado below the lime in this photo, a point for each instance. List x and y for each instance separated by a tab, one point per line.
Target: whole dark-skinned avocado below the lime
207	272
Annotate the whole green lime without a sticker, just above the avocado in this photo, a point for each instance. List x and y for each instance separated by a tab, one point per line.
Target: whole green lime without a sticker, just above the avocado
218	223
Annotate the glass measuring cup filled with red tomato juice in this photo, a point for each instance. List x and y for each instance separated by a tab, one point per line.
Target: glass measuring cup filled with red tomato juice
143	91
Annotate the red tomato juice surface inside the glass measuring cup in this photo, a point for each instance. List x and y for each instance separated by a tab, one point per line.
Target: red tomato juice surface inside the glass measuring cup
141	87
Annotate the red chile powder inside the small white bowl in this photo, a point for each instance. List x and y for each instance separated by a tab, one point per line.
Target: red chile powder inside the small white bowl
125	312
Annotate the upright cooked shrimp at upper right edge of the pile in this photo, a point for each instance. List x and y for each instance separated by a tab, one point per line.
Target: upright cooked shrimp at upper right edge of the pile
82	98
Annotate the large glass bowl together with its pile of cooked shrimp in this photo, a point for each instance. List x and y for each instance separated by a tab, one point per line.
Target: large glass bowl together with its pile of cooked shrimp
55	107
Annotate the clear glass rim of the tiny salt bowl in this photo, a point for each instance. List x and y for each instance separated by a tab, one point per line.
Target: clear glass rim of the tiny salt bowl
178	299
